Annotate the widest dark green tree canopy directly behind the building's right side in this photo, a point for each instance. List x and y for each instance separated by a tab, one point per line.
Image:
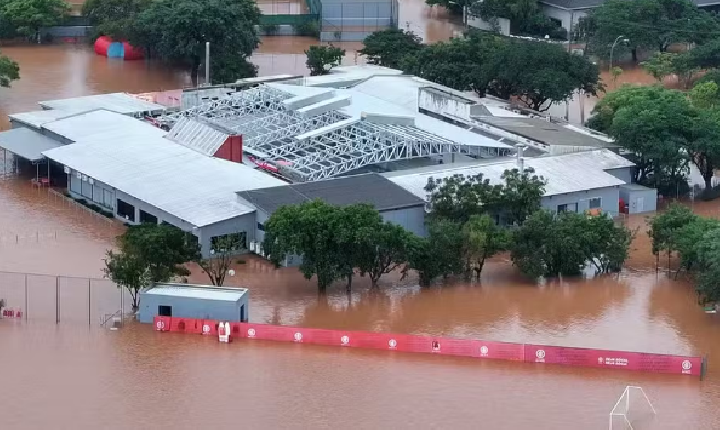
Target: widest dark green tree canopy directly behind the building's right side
489	63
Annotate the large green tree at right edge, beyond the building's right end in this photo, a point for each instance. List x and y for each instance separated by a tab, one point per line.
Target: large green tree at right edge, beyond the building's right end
665	130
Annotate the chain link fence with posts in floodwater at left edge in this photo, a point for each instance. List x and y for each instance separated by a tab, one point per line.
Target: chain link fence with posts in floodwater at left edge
63	299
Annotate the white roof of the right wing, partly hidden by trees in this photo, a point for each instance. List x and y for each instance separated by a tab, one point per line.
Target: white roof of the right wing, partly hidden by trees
564	173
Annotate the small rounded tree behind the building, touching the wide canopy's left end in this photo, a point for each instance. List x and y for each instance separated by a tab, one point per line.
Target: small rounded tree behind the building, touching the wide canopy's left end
388	47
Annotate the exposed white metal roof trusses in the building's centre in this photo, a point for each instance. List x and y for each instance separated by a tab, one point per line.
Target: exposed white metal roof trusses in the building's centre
270	132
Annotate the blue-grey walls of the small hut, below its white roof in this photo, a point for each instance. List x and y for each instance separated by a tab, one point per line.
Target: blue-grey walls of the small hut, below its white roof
190	307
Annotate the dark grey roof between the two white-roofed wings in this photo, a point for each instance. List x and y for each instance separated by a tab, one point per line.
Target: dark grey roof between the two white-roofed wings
369	188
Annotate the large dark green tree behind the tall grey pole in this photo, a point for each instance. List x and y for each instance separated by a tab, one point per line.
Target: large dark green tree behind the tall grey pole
176	31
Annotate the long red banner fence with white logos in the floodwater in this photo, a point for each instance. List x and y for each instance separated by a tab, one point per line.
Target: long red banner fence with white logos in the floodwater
526	353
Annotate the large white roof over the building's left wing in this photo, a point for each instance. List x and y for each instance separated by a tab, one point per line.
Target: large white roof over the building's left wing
178	180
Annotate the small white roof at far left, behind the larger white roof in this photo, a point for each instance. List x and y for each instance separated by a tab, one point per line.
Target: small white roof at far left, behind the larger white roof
116	102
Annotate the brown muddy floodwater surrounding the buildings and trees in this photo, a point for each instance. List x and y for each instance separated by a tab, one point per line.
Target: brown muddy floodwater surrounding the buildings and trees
77	375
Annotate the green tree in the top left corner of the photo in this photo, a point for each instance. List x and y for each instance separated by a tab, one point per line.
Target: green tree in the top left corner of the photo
28	16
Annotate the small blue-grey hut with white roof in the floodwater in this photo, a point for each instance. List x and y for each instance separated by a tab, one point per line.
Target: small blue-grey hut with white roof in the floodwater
194	301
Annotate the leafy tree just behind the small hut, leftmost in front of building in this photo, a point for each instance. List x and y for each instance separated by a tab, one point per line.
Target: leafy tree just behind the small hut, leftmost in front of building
150	253
